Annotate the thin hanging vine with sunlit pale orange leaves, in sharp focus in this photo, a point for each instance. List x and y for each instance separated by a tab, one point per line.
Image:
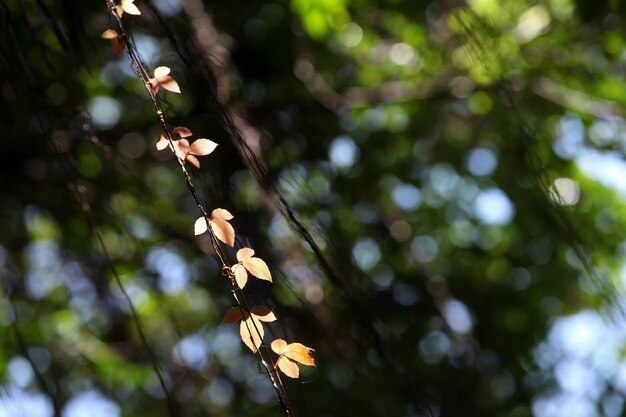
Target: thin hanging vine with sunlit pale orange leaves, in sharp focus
286	356
